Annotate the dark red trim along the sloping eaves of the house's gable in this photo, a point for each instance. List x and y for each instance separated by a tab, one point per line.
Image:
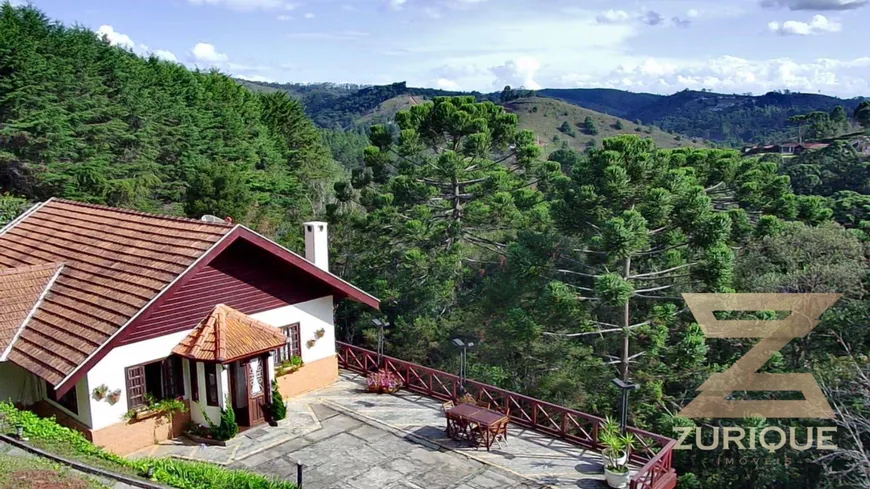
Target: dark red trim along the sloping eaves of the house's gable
340	288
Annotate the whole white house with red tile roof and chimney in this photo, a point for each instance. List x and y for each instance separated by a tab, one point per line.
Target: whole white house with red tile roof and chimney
102	309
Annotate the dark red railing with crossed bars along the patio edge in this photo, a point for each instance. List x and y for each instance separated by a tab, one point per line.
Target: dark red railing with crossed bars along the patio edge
654	452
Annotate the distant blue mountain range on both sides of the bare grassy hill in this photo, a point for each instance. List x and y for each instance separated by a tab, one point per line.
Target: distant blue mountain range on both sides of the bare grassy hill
734	120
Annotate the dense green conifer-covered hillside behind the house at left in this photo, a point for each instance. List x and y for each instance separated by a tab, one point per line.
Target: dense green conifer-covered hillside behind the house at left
151	135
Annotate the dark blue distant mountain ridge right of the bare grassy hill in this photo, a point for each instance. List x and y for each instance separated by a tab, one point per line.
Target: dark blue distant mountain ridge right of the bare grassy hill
726	118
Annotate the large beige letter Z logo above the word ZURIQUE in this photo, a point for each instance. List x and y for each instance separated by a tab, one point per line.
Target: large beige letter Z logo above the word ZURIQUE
805	310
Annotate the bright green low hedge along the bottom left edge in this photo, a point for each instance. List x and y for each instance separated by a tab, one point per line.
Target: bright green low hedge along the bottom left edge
50	436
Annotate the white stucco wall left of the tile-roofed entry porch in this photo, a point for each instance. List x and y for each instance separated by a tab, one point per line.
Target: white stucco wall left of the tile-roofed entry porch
111	371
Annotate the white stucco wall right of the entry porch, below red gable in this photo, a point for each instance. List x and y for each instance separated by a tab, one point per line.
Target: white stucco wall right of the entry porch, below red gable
311	316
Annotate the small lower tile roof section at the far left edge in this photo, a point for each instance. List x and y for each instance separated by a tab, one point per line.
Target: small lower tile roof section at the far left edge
21	289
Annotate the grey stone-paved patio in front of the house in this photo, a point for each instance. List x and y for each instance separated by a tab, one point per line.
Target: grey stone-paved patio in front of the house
350	439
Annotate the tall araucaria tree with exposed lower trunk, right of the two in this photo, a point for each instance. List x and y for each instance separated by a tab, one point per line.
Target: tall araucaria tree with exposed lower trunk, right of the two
644	226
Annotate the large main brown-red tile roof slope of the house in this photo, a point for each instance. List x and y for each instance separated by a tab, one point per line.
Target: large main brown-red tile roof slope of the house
115	262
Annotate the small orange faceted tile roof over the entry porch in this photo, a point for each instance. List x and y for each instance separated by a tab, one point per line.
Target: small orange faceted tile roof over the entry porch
227	335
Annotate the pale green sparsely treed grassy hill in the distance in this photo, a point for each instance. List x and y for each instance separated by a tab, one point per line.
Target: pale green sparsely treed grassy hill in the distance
544	116
